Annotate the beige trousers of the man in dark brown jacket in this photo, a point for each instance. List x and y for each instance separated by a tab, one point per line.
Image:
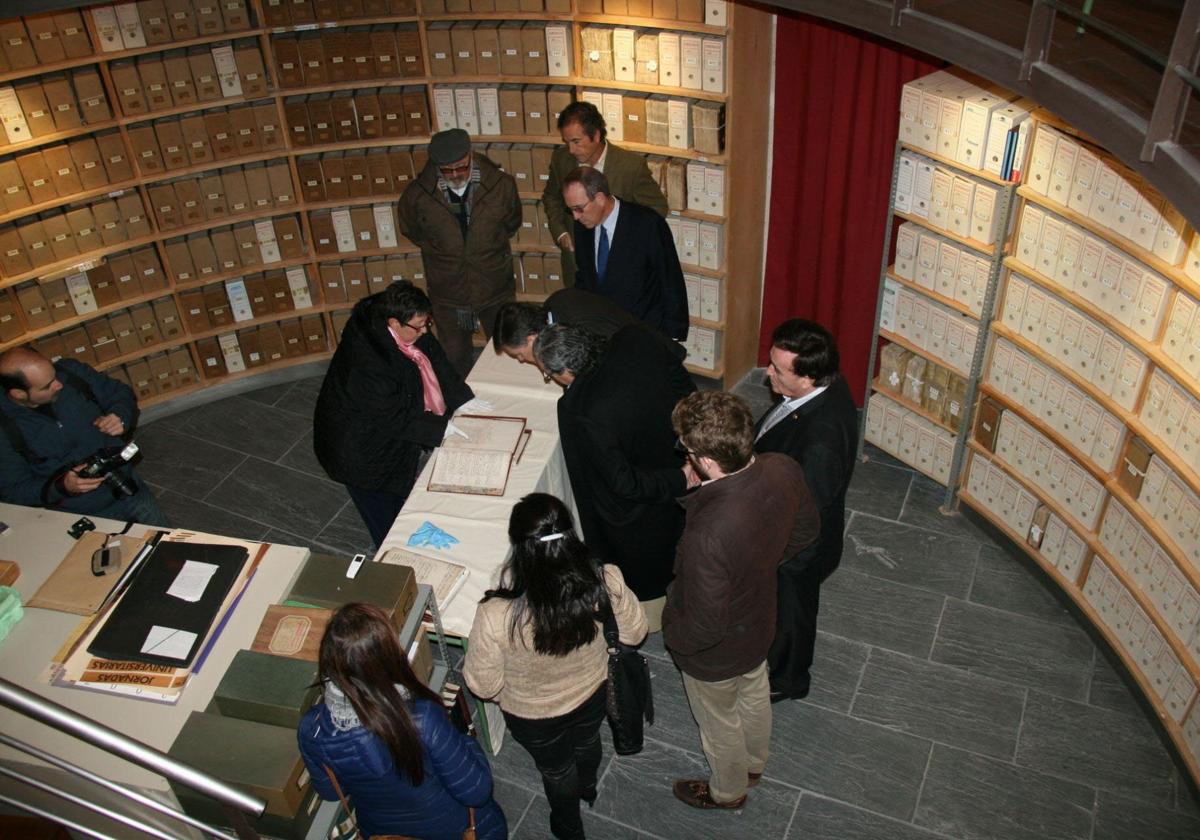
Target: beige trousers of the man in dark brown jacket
735	728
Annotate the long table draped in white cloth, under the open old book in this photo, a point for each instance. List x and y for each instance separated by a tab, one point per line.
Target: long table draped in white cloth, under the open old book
482	523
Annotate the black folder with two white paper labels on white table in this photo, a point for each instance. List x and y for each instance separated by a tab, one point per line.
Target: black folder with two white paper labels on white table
148	604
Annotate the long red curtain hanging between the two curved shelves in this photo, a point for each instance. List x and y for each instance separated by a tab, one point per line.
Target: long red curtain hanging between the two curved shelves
837	117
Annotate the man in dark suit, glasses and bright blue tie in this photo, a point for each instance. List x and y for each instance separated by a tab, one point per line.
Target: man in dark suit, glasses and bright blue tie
627	254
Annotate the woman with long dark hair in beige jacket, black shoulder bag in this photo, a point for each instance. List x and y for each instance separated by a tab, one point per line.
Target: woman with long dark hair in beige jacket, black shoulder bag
537	649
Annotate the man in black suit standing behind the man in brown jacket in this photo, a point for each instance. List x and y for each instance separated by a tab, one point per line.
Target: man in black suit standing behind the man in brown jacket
817	423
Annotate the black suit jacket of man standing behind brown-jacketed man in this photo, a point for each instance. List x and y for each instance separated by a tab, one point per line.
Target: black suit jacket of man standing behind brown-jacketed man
823	436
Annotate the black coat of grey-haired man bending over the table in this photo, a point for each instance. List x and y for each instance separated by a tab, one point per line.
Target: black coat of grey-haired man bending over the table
619	445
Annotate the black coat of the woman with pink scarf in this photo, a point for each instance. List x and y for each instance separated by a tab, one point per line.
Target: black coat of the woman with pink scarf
370	425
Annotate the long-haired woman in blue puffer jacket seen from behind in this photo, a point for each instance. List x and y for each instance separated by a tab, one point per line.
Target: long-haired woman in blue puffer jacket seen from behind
388	741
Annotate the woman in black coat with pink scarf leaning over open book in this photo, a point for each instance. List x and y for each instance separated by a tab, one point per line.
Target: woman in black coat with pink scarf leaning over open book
388	397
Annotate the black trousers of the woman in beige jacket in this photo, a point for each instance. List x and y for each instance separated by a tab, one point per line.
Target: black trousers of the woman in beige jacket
567	752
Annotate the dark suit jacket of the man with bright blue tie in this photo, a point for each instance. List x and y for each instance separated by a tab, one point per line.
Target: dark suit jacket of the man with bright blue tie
644	275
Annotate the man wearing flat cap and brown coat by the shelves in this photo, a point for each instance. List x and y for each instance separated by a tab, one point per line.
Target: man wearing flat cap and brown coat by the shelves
461	213
